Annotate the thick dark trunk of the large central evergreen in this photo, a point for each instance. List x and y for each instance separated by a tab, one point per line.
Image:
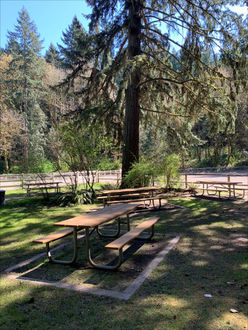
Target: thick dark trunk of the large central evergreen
132	111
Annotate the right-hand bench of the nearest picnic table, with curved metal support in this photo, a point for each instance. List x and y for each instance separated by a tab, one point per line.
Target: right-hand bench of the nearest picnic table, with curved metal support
120	242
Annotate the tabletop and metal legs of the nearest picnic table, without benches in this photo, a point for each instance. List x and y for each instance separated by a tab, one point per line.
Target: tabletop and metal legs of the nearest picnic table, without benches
92	221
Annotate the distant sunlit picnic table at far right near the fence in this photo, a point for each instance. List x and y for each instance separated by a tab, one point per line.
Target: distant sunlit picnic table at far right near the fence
218	187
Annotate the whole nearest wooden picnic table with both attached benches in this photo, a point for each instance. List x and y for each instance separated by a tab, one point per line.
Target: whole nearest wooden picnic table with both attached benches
90	222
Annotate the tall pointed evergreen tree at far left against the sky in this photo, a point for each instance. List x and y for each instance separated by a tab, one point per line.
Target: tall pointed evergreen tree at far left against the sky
26	70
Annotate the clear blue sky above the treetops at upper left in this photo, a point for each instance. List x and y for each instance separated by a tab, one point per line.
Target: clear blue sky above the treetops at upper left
50	16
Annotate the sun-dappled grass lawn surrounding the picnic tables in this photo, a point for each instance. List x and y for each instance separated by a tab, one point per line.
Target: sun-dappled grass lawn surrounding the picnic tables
210	258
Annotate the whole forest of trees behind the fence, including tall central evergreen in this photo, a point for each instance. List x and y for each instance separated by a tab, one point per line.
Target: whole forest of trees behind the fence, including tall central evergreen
68	110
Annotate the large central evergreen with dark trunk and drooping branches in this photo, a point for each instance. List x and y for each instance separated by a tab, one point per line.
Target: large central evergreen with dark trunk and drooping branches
141	36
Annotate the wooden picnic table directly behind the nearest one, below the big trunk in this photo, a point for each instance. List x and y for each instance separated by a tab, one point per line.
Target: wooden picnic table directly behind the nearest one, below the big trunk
130	195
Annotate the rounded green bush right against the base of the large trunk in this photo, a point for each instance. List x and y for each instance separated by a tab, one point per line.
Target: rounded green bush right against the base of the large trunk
141	174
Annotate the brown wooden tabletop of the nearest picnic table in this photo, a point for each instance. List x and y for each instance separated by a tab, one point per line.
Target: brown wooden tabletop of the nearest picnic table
98	217
